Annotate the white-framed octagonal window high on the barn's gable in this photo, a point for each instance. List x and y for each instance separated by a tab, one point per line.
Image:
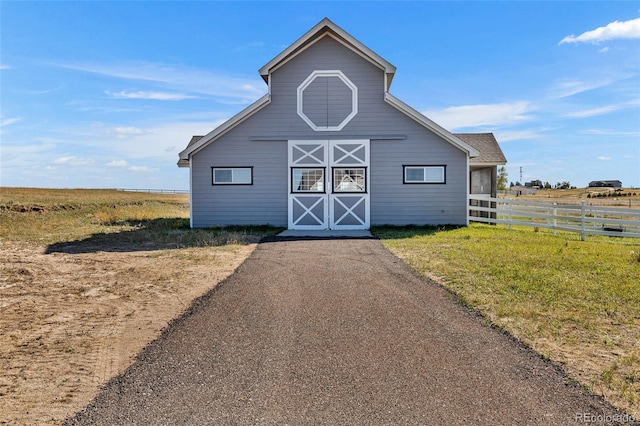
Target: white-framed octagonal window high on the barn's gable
327	100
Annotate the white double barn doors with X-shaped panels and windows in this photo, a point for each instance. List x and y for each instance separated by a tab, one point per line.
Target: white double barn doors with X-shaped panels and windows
328	184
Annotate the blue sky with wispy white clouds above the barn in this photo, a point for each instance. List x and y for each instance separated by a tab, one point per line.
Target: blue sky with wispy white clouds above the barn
105	94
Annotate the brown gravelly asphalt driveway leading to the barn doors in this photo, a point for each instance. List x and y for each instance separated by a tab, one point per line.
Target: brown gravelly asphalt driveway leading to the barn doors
336	332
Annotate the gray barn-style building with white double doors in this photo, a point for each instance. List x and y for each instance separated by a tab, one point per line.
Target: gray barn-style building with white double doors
328	147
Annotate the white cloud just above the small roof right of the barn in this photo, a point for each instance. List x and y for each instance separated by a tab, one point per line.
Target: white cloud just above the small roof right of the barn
481	115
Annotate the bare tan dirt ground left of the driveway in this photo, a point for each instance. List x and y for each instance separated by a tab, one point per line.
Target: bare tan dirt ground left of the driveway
70	321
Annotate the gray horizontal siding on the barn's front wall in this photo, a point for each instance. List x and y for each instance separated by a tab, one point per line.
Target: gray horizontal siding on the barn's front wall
392	202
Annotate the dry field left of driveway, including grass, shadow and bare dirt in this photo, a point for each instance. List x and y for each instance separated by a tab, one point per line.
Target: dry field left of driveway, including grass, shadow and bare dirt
87	279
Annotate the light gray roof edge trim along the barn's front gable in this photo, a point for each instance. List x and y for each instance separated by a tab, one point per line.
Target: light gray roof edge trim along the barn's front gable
325	28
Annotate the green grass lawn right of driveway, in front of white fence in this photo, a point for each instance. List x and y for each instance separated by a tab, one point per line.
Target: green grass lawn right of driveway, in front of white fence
576	302
